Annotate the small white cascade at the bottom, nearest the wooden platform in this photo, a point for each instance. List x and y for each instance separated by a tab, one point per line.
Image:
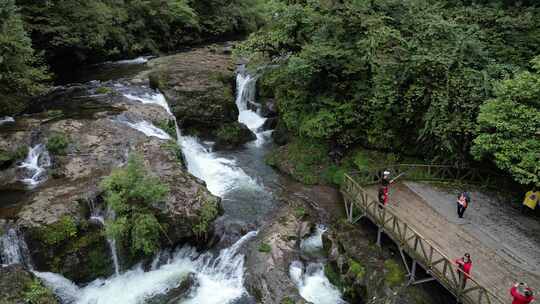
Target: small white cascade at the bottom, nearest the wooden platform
313	284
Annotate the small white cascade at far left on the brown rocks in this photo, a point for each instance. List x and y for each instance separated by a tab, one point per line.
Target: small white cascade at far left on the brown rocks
35	164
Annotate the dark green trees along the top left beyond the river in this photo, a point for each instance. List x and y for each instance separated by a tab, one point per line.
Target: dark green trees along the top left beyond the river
67	33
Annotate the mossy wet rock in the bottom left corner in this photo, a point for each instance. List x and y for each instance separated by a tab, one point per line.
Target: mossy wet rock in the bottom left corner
18	286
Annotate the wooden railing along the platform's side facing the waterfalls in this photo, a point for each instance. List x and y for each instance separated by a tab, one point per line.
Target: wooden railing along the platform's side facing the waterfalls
358	203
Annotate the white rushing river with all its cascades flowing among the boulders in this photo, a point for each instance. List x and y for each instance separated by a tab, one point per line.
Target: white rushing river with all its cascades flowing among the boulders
239	177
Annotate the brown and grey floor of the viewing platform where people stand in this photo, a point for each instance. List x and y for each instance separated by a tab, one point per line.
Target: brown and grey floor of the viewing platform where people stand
502	251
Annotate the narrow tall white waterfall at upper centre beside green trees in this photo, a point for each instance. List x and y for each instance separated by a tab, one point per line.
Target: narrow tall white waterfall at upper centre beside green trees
245	95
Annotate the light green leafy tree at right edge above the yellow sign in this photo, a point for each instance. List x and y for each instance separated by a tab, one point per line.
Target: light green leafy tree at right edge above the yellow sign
510	127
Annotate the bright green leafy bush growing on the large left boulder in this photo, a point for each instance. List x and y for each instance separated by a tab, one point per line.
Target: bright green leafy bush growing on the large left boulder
132	193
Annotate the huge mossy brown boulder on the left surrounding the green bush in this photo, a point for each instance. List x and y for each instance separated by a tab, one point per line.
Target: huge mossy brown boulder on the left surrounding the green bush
86	148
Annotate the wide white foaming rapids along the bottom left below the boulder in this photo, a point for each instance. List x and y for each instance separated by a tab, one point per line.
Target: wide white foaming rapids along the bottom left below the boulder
219	279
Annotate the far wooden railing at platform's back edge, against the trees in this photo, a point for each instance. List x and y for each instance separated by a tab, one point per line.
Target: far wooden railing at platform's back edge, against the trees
481	177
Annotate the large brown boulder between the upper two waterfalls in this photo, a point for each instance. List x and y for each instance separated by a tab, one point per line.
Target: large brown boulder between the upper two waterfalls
199	86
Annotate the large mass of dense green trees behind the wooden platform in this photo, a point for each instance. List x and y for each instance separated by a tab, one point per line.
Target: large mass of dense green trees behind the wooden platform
406	76
